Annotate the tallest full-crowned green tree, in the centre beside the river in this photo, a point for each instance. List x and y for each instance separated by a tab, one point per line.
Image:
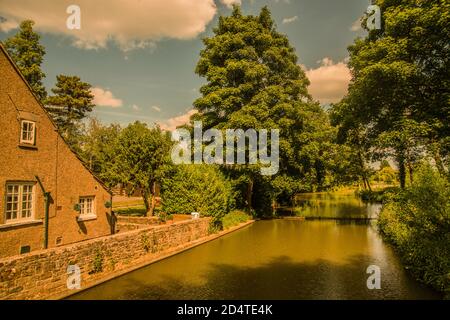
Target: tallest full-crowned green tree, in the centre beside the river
254	81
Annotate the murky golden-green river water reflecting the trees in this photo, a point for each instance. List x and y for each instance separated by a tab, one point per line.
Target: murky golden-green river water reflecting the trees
278	259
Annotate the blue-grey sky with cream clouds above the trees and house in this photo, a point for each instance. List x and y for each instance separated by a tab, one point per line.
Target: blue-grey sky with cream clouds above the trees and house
140	55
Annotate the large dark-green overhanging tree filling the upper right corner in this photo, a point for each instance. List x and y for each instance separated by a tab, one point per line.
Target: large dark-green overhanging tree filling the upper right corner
401	88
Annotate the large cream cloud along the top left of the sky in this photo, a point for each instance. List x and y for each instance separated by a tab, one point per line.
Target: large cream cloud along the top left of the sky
130	24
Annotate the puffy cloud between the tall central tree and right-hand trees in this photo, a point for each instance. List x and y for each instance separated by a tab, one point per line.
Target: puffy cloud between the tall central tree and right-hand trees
329	82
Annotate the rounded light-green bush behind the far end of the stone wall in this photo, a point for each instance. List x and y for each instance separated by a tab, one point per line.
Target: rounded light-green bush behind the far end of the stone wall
197	188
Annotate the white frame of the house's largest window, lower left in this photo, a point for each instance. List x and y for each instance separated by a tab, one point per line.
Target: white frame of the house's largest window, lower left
20	203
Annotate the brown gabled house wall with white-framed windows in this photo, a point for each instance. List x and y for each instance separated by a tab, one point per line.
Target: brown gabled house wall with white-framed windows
34	158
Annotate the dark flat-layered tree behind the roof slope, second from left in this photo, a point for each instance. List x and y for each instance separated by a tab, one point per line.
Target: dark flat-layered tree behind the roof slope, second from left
71	103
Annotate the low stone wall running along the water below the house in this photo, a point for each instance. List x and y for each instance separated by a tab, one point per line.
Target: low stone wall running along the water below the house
43	274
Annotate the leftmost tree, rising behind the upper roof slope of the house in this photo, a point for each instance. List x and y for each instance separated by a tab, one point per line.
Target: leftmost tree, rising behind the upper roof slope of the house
28	54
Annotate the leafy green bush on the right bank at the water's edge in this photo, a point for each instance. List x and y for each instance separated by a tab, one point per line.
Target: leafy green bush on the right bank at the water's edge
417	222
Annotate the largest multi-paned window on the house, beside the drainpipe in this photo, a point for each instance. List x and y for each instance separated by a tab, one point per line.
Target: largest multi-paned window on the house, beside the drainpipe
19	202
